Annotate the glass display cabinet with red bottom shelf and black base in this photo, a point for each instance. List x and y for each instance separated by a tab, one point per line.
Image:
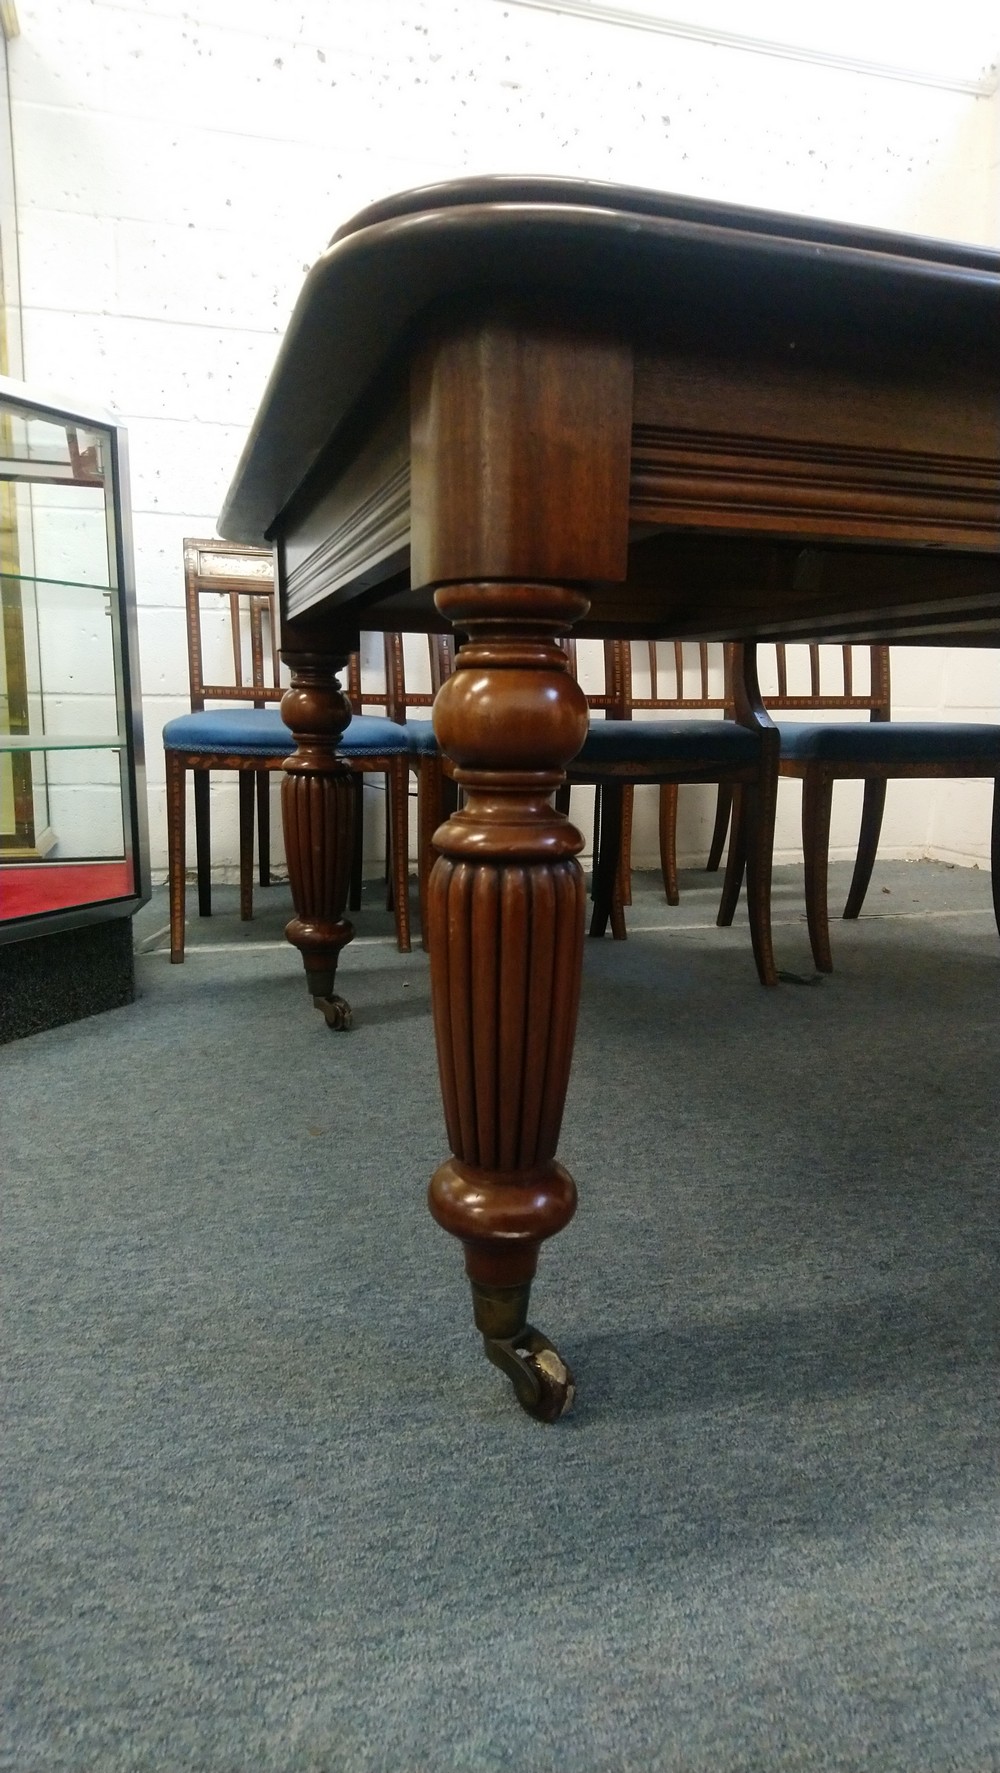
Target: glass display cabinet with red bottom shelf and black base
74	850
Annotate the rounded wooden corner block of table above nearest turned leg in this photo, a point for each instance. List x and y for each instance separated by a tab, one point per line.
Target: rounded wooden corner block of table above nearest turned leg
543	407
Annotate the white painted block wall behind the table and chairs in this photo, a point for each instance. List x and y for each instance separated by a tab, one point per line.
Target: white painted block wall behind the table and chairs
182	162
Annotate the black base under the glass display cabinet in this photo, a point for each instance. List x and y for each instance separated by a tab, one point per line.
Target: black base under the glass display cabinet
65	978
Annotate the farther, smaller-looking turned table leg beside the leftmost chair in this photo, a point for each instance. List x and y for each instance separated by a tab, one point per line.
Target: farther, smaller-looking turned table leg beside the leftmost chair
318	816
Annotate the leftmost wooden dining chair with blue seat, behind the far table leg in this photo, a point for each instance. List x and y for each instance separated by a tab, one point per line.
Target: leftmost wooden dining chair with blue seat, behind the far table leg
237	584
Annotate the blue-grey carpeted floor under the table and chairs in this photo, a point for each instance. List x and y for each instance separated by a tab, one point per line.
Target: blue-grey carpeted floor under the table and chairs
269	1510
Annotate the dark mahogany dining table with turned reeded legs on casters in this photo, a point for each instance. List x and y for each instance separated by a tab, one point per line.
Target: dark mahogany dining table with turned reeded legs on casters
524	407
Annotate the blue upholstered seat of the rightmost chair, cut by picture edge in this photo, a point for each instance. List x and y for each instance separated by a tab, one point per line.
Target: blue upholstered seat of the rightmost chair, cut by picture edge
891	742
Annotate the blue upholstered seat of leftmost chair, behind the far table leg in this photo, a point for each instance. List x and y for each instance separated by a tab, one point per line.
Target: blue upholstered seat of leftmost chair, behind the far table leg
262	733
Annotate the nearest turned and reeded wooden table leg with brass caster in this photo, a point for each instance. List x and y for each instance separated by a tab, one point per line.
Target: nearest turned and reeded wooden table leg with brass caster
506	933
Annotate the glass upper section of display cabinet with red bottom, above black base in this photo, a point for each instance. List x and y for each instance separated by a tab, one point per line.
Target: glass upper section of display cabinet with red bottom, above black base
68	795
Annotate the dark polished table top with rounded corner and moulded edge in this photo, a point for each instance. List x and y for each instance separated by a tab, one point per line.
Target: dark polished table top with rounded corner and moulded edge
648	260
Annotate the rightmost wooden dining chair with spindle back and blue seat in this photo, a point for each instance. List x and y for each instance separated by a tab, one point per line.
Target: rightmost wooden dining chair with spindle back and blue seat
875	751
